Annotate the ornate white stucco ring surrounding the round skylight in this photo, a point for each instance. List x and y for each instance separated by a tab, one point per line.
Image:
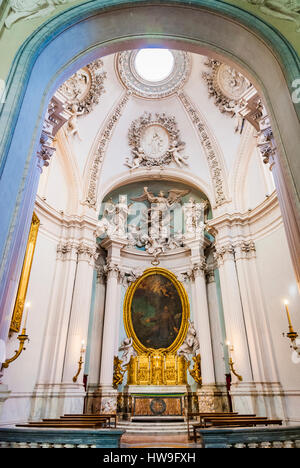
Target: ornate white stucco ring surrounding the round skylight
131	79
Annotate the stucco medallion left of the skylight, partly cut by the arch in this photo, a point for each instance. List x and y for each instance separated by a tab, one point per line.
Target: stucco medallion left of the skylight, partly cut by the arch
84	88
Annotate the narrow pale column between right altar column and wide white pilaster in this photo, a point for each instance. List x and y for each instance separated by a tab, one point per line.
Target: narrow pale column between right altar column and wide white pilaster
216	330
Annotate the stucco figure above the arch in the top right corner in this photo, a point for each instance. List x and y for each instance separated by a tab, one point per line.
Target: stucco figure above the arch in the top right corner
283	9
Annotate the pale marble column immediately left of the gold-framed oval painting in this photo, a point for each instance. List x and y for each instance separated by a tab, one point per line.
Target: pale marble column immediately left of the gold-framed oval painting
111	323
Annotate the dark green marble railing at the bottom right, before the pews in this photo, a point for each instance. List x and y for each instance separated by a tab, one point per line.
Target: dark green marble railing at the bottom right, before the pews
283	437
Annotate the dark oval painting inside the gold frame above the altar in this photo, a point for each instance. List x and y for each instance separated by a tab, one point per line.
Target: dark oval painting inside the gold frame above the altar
156	312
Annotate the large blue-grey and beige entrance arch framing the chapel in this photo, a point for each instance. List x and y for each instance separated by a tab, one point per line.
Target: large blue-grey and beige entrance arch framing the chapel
38	70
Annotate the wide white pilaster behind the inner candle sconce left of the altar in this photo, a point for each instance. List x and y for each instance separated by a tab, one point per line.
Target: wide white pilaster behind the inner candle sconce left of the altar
80	312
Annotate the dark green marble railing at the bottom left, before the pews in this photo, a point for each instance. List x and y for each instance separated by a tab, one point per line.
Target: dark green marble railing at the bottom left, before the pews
60	438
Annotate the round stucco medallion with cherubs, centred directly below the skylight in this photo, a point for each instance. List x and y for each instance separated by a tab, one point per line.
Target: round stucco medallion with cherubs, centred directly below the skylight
155	142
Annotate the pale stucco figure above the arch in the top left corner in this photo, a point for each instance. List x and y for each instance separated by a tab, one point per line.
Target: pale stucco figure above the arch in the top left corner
30	9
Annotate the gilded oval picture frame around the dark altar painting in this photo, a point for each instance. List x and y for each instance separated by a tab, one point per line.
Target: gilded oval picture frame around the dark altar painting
140	347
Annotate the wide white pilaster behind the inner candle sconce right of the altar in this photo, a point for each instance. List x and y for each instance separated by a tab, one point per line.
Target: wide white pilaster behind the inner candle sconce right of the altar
233	312
